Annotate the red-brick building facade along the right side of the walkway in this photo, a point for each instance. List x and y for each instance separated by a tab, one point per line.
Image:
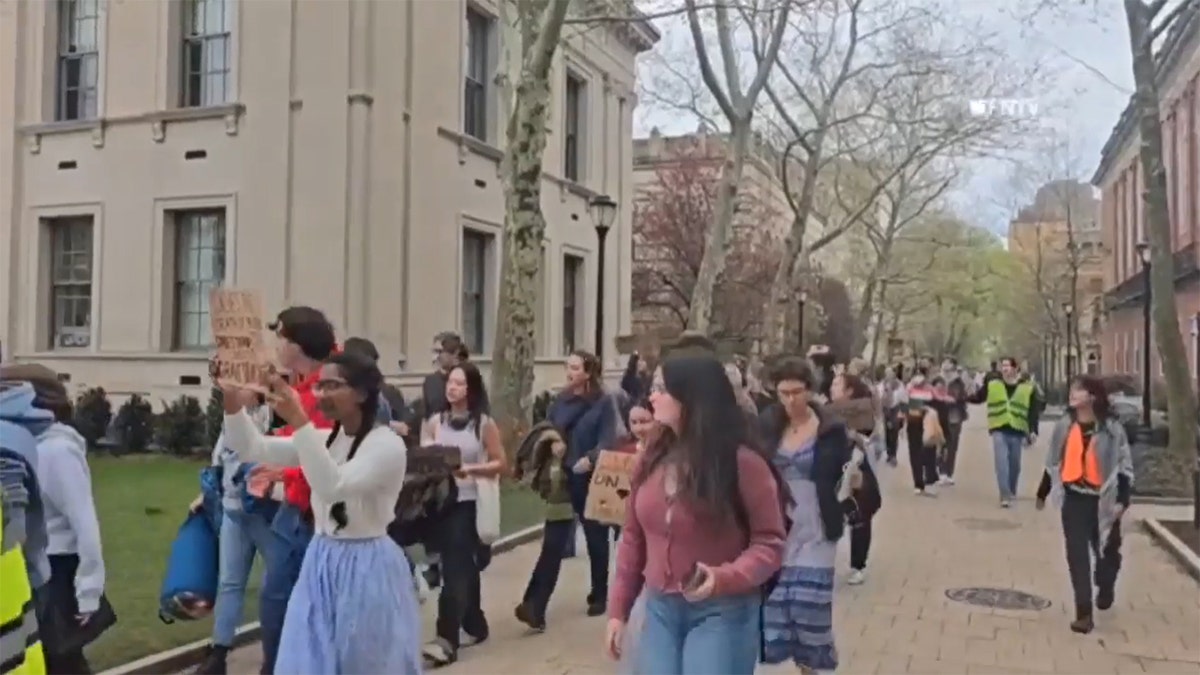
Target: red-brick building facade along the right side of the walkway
1123	182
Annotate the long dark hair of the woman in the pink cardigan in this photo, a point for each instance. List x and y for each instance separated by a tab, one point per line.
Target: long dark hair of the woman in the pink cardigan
713	431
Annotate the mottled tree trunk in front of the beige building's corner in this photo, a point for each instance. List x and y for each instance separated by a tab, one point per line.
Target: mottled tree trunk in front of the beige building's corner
525	228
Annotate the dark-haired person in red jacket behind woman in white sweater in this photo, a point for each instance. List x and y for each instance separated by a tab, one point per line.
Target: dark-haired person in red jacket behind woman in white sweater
304	339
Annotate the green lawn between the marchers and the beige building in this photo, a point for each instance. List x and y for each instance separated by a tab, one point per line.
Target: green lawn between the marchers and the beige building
142	500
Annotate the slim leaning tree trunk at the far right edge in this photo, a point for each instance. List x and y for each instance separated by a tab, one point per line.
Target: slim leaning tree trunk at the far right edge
1181	401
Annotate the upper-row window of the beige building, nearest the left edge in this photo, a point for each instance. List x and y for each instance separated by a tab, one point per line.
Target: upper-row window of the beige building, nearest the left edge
79	59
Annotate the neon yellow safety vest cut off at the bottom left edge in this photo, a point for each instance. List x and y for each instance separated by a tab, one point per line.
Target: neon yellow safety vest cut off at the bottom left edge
21	649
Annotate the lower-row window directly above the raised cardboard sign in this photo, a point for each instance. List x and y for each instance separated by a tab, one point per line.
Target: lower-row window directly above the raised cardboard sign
200	268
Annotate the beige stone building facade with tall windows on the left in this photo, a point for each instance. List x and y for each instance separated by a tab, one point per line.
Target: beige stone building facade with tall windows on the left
344	156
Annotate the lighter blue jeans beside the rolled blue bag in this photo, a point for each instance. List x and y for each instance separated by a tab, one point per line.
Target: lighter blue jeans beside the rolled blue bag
242	536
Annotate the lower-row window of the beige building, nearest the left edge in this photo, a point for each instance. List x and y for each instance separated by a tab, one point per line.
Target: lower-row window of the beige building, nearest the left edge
71	282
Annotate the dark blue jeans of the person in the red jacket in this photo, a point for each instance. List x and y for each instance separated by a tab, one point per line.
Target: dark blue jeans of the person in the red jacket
291	539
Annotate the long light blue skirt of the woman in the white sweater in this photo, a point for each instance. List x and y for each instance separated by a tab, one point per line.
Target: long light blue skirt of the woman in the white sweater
355	611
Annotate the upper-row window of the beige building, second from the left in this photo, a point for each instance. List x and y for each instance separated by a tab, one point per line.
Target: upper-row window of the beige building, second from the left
207	58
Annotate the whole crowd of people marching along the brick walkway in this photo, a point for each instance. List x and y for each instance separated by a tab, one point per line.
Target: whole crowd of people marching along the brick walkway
745	485
